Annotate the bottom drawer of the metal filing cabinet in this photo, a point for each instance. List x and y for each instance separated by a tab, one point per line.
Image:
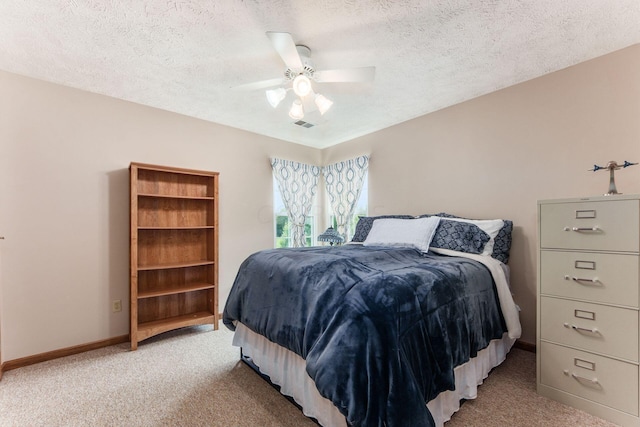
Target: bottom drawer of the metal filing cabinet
614	384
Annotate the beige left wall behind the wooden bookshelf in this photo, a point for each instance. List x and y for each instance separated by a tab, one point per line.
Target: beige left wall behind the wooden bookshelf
64	157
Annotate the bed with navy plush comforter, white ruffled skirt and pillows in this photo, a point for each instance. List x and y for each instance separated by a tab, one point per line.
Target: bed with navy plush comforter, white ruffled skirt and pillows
390	330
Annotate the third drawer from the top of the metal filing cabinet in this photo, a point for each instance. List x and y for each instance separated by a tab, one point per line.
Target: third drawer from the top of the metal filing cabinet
615	330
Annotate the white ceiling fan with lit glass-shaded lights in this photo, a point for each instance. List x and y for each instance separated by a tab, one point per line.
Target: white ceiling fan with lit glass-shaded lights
299	75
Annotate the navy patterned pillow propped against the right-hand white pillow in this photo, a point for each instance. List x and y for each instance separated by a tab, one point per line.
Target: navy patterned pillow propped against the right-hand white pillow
460	236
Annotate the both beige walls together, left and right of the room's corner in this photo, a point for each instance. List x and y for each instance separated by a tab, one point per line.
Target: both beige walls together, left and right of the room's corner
64	183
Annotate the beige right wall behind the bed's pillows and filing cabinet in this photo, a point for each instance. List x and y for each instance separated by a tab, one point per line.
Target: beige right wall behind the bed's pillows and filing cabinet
495	156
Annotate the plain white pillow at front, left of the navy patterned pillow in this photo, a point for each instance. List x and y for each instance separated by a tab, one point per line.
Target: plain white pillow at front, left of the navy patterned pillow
413	233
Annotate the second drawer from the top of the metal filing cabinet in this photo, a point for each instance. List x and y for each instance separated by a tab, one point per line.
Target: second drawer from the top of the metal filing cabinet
608	278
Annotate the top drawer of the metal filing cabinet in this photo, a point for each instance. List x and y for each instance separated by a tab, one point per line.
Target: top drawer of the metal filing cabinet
605	225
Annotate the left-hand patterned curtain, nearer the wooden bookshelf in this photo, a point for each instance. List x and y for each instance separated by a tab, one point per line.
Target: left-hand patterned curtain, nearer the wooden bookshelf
298	183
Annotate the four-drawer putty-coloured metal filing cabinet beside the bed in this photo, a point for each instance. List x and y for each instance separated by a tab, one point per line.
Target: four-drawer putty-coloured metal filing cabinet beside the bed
588	300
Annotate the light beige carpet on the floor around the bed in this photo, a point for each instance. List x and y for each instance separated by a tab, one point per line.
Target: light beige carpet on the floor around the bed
193	377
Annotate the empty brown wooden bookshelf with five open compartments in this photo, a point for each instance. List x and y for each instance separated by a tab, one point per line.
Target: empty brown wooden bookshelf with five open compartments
174	249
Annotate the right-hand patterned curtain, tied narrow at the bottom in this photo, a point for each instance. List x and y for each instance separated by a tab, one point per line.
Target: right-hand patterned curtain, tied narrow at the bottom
344	182
